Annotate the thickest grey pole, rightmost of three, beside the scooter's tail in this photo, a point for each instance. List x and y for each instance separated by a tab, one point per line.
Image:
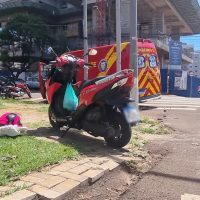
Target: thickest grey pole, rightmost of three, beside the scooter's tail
133	50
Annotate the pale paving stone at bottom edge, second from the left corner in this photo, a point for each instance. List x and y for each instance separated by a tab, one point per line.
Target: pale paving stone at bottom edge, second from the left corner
46	192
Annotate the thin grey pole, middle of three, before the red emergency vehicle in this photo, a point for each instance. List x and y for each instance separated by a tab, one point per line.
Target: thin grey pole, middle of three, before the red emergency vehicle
118	33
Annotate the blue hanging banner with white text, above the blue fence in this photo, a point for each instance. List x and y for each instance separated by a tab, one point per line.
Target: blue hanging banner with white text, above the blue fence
175	53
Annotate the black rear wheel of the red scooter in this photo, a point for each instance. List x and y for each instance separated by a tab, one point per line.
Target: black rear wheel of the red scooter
122	130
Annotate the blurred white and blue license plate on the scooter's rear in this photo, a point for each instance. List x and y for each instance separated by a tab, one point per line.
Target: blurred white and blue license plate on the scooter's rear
131	114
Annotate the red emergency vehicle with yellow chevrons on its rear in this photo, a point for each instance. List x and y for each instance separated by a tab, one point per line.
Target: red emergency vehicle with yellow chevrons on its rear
105	64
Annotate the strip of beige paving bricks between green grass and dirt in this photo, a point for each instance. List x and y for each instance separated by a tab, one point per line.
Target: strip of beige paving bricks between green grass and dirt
55	183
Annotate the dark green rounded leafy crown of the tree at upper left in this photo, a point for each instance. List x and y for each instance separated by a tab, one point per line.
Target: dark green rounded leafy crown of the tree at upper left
26	29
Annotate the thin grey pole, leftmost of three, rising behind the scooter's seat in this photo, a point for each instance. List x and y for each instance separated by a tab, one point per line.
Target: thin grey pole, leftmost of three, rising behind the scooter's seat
85	37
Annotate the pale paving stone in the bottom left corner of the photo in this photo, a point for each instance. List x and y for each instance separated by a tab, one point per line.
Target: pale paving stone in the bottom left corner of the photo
21	195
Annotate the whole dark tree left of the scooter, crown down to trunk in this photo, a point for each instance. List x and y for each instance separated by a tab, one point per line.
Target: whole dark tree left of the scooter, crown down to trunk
22	42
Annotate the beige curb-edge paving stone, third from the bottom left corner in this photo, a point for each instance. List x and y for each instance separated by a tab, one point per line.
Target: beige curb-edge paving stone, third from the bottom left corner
66	186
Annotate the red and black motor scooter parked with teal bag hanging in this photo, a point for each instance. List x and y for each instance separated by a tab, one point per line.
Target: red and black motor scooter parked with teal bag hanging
104	103
